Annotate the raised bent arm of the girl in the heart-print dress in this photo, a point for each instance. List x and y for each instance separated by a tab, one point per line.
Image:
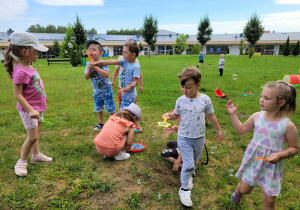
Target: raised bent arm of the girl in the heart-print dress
240	127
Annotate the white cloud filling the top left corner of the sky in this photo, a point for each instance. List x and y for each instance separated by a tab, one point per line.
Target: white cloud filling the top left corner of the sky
12	10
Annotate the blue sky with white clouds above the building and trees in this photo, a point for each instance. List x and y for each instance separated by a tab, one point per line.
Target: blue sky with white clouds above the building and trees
226	16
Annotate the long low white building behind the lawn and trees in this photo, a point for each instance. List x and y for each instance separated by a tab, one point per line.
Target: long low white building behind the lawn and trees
219	43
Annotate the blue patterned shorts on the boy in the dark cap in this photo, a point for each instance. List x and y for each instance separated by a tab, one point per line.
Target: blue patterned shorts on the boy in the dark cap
105	98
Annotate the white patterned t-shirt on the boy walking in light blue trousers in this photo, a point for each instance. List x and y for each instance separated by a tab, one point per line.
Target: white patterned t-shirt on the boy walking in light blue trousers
192	112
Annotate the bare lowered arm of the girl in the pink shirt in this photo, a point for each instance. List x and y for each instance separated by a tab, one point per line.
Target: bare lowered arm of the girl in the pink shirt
18	88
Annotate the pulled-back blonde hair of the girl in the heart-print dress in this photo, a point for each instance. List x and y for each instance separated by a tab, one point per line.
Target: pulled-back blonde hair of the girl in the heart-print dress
285	92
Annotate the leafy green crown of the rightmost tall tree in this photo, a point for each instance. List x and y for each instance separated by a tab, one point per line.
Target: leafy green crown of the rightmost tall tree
253	30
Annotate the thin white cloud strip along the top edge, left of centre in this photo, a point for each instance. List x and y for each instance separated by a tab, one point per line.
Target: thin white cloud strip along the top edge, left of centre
71	2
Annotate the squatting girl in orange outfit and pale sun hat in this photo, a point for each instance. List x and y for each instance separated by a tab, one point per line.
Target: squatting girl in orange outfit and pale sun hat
117	133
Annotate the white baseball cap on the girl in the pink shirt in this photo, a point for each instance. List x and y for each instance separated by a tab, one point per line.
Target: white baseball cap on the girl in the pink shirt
27	39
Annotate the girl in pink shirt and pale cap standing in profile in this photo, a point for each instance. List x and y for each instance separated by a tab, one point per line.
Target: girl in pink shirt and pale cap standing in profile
29	93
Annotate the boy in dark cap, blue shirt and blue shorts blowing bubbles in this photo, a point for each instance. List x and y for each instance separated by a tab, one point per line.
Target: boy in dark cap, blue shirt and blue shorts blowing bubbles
102	91
